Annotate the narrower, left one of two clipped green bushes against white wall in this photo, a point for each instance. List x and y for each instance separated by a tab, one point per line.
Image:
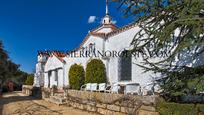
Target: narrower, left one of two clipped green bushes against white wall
76	76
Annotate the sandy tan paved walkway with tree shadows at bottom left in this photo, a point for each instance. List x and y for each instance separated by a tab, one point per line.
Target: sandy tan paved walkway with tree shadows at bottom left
16	103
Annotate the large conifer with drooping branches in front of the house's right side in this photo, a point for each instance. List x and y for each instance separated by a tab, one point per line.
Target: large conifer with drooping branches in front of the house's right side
173	31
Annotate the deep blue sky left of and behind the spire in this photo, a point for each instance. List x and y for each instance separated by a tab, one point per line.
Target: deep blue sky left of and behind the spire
27	26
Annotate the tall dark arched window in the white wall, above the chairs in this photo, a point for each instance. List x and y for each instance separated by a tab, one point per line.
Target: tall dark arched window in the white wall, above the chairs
125	66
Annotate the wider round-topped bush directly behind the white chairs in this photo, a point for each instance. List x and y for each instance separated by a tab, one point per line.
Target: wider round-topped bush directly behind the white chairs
95	72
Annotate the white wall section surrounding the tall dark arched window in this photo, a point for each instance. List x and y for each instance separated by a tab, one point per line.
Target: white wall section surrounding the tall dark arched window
118	43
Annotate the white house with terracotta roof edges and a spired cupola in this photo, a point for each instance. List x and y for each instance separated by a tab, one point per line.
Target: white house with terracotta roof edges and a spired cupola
108	39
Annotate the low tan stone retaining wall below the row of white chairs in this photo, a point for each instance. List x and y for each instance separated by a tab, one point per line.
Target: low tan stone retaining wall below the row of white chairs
112	104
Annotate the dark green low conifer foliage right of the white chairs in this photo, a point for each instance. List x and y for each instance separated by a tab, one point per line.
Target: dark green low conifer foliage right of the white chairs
188	81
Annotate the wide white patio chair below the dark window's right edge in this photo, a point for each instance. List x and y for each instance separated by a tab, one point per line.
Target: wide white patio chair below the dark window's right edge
134	88
